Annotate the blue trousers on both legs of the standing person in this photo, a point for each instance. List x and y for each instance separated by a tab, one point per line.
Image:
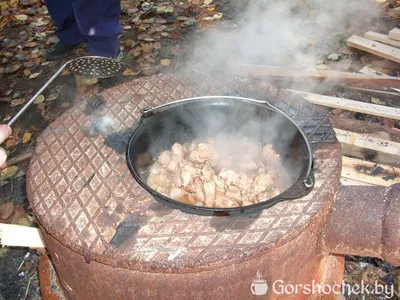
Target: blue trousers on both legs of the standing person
96	21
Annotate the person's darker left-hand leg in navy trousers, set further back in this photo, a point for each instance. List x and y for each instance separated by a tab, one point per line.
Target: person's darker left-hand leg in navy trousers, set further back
62	15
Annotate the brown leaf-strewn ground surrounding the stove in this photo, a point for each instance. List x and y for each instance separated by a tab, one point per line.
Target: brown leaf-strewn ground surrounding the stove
162	37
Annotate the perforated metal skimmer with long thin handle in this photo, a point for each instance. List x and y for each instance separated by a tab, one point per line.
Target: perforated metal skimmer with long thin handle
87	66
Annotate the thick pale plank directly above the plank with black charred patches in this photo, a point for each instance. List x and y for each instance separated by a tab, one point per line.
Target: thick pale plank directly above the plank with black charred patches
367	147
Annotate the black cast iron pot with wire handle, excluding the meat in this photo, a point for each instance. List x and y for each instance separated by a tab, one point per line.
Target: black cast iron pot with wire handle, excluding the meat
204	117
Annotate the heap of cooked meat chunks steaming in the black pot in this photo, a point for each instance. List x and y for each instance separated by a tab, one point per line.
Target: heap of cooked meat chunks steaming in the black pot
220	173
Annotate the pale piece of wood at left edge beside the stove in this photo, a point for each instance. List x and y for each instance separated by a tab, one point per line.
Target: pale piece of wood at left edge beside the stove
20	236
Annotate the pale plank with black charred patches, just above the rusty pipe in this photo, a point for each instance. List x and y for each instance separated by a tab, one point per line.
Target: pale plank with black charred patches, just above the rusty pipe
369	172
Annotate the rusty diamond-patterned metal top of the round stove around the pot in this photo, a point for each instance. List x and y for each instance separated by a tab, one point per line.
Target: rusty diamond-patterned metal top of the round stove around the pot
83	194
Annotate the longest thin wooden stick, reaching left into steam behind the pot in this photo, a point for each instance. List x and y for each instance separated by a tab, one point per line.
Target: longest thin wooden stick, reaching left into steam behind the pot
362	80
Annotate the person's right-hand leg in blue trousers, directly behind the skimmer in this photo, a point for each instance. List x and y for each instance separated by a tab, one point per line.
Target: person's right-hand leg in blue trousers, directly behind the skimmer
98	22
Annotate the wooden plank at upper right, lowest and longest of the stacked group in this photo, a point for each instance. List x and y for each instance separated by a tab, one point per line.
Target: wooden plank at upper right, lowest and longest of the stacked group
375	48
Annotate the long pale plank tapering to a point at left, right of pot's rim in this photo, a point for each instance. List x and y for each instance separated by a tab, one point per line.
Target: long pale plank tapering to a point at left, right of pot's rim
347	104
